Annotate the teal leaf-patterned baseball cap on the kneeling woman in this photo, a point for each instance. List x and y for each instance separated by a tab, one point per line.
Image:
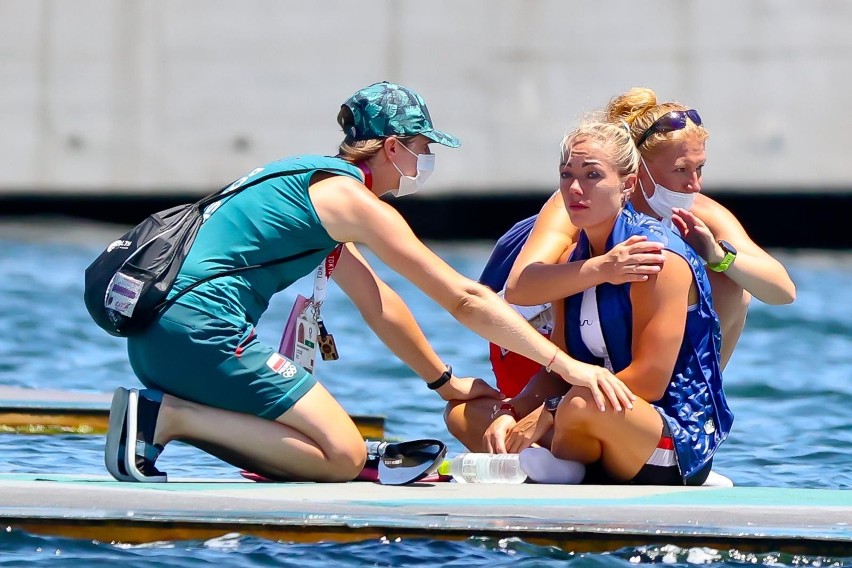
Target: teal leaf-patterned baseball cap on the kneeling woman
387	109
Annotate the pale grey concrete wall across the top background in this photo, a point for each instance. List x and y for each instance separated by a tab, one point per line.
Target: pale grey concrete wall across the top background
185	95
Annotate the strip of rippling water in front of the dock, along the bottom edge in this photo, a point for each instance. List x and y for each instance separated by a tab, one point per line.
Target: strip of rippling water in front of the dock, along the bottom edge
242	551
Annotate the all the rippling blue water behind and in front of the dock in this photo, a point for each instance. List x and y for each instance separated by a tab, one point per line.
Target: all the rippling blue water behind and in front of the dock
788	384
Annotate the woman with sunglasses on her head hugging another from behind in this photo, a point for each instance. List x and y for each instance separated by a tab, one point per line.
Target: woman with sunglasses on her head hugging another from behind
671	139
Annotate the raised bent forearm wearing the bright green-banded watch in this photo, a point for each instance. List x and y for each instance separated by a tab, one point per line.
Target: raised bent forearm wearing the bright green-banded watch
754	270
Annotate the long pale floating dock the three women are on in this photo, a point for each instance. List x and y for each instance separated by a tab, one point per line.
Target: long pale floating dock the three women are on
579	518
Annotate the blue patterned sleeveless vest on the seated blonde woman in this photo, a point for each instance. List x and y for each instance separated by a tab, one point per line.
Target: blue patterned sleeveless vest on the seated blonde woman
694	405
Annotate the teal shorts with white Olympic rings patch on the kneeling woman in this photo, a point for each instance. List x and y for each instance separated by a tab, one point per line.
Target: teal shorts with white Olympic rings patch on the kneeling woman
195	356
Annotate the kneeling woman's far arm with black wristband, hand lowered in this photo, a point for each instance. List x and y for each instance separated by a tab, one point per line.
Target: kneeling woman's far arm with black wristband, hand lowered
392	321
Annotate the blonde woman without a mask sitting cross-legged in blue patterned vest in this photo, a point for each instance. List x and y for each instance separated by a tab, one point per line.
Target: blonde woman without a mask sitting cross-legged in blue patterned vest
659	335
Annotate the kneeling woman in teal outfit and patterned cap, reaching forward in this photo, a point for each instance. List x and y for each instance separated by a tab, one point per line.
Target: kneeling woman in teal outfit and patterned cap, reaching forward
213	384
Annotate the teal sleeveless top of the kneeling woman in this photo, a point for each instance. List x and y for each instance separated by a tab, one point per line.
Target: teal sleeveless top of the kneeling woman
270	219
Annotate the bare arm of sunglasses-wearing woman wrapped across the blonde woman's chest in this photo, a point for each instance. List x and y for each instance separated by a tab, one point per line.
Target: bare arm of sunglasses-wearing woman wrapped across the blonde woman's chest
538	275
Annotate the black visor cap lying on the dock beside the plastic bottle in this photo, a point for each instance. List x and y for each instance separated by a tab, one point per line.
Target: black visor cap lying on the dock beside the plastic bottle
406	462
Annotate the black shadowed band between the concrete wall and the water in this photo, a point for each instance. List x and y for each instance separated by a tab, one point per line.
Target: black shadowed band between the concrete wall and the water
767	217
